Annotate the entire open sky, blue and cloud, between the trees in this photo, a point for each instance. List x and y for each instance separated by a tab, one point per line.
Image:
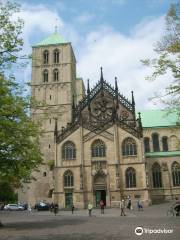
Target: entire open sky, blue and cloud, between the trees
114	34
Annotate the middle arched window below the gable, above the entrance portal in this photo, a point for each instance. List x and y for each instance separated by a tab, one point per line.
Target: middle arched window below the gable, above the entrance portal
98	148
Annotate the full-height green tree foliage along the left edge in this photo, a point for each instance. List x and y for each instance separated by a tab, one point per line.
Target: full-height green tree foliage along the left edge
19	135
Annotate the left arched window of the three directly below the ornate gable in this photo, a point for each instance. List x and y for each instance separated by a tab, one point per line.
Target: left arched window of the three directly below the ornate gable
68	151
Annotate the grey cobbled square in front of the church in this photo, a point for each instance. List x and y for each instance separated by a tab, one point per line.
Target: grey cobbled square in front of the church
111	226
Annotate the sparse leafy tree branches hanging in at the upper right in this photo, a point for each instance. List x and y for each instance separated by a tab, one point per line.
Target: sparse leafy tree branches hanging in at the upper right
168	57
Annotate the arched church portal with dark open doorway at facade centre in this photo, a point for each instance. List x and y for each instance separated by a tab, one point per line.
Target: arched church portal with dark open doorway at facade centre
100	187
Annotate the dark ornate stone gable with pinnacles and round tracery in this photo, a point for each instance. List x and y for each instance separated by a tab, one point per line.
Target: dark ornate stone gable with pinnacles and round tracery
102	107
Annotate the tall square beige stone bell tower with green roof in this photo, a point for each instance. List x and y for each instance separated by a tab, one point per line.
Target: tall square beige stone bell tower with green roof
54	88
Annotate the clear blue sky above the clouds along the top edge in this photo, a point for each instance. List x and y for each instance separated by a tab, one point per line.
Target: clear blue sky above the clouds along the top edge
122	15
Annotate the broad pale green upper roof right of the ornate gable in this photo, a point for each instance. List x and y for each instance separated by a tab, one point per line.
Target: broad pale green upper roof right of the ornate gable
158	118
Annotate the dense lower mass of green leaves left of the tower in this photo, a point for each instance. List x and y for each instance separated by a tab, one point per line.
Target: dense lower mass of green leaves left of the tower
19	141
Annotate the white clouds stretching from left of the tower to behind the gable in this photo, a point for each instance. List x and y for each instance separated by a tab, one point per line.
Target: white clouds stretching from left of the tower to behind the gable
118	54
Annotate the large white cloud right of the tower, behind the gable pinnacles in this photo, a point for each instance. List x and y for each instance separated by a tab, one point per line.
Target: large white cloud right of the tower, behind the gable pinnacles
120	56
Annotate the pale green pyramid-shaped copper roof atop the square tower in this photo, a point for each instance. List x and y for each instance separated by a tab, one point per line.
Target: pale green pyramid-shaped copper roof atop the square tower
53	39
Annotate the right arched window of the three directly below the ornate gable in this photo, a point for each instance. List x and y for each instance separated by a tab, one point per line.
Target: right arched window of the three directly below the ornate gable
129	147
